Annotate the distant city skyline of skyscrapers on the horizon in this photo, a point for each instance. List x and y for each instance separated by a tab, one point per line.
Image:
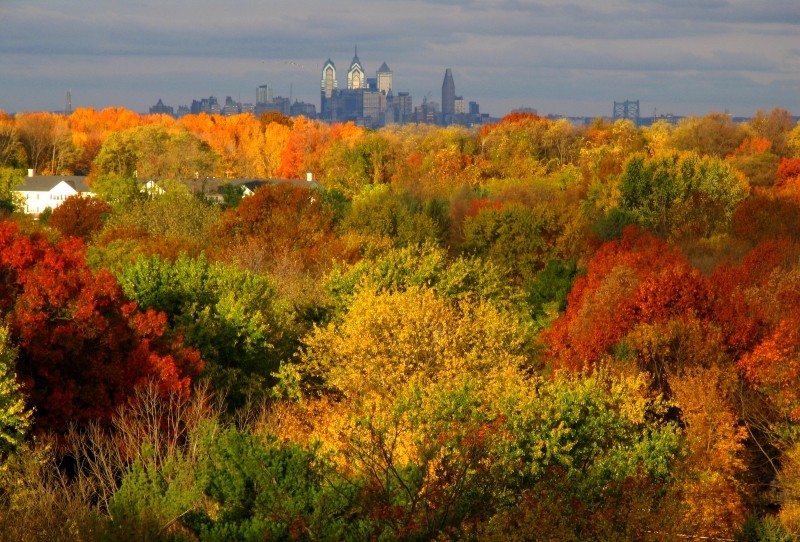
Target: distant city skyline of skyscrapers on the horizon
366	101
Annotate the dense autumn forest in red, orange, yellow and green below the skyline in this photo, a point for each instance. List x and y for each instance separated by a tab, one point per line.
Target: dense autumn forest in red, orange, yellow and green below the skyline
525	331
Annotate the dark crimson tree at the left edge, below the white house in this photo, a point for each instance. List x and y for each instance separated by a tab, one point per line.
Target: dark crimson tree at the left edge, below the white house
83	347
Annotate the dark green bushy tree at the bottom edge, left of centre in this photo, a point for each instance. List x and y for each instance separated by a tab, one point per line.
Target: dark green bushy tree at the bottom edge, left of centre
264	490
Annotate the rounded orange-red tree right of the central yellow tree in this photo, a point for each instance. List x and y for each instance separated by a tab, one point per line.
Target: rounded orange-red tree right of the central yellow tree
638	279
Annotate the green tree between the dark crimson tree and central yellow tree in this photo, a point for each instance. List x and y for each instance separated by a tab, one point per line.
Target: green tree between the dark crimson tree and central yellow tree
233	317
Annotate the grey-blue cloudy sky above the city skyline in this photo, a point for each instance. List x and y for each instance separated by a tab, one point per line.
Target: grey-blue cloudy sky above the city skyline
572	57
